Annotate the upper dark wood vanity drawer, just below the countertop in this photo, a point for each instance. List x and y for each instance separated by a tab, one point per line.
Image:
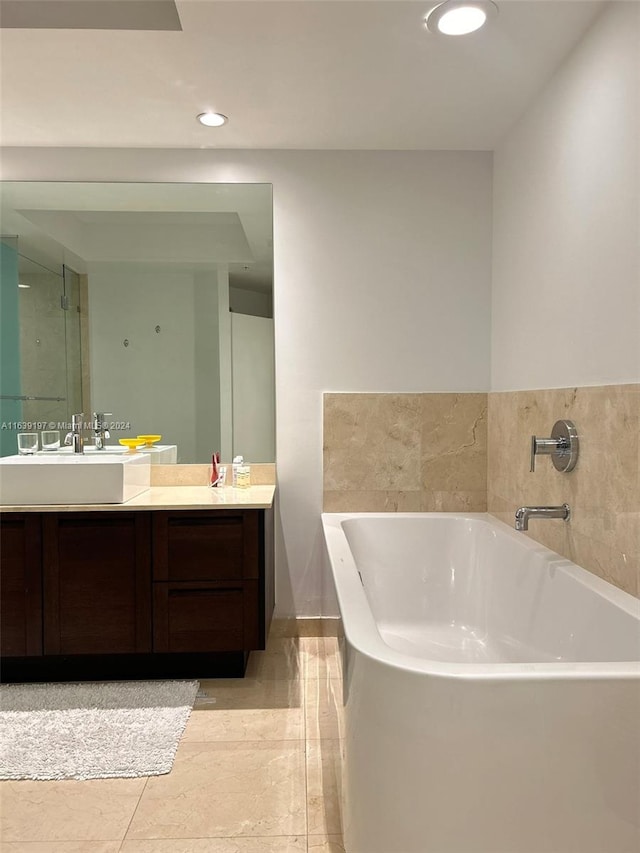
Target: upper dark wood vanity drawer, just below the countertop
205	546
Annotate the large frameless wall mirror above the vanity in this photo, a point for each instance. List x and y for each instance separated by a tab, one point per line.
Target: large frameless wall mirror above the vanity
151	302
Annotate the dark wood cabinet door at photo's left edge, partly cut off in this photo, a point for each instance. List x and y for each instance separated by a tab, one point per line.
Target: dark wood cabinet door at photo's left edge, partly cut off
21	598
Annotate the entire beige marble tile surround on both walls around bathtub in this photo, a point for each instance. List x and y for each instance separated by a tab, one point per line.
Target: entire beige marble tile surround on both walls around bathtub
470	452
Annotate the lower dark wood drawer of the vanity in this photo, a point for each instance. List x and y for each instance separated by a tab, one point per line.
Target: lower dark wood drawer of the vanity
203	617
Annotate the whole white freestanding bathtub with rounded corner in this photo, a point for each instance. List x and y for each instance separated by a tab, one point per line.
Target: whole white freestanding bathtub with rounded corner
491	689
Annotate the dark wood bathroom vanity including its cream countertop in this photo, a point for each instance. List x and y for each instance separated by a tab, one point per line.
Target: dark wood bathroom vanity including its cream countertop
178	582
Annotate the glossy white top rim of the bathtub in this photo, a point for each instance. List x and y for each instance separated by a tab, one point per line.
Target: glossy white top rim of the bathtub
361	631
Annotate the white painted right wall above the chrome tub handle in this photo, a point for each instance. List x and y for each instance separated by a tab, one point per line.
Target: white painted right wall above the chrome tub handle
566	274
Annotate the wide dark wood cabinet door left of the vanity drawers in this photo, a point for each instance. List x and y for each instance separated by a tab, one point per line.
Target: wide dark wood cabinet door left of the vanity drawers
97	588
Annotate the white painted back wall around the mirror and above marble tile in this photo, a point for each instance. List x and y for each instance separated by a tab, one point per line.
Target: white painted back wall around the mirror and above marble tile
382	283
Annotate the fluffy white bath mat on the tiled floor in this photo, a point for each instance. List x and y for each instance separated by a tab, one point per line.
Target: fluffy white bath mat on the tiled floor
95	730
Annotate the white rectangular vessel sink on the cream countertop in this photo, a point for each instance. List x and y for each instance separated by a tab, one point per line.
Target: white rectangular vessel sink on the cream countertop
73	479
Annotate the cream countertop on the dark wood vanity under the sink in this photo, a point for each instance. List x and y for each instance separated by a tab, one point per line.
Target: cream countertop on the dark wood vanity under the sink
171	497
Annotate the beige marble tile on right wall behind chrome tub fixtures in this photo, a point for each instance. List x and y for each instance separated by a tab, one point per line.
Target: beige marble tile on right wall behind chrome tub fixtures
603	490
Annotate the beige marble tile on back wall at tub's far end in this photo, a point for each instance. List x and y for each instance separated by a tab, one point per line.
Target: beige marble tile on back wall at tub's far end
405	452
